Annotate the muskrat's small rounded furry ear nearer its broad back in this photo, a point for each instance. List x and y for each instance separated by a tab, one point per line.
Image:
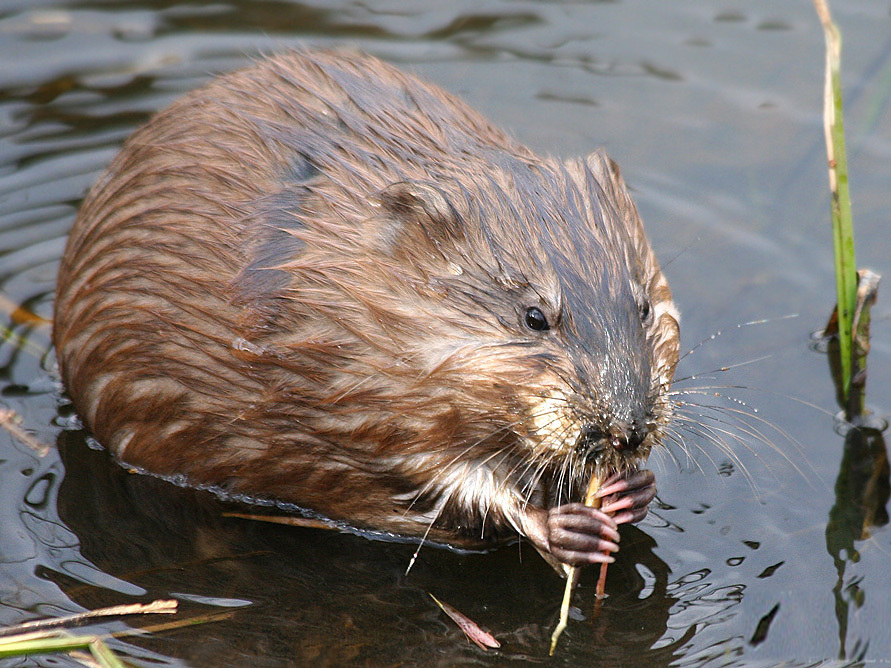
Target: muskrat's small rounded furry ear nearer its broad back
419	213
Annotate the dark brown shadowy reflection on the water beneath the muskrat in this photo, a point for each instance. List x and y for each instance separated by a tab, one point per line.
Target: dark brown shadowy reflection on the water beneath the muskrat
328	598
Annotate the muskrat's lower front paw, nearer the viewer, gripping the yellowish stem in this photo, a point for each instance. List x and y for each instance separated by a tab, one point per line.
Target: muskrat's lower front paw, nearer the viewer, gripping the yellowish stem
579	534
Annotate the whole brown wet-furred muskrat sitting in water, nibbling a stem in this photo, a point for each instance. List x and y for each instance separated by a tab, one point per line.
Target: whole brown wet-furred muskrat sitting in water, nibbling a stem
322	281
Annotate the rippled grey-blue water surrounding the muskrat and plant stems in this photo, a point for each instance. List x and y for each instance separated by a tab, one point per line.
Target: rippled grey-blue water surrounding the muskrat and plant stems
713	109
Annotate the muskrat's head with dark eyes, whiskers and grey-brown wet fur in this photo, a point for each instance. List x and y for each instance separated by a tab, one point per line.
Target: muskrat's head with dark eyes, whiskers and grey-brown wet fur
527	321
